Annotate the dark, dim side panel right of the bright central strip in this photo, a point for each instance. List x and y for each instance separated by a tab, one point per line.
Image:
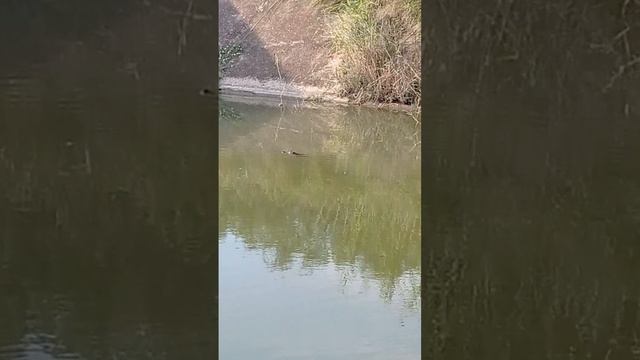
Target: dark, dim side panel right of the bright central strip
532	198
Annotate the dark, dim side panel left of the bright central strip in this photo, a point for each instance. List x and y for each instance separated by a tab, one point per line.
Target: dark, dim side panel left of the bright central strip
107	209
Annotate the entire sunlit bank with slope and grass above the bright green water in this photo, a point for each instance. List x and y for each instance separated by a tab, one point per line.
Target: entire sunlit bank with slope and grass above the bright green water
300	49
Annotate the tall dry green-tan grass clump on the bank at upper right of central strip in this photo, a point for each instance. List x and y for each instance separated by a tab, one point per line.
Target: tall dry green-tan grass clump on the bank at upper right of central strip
378	45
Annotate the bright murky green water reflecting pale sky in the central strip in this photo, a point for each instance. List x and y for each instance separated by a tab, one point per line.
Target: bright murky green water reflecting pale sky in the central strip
319	254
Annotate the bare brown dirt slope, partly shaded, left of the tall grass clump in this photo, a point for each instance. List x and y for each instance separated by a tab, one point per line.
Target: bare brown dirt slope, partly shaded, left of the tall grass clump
285	35
